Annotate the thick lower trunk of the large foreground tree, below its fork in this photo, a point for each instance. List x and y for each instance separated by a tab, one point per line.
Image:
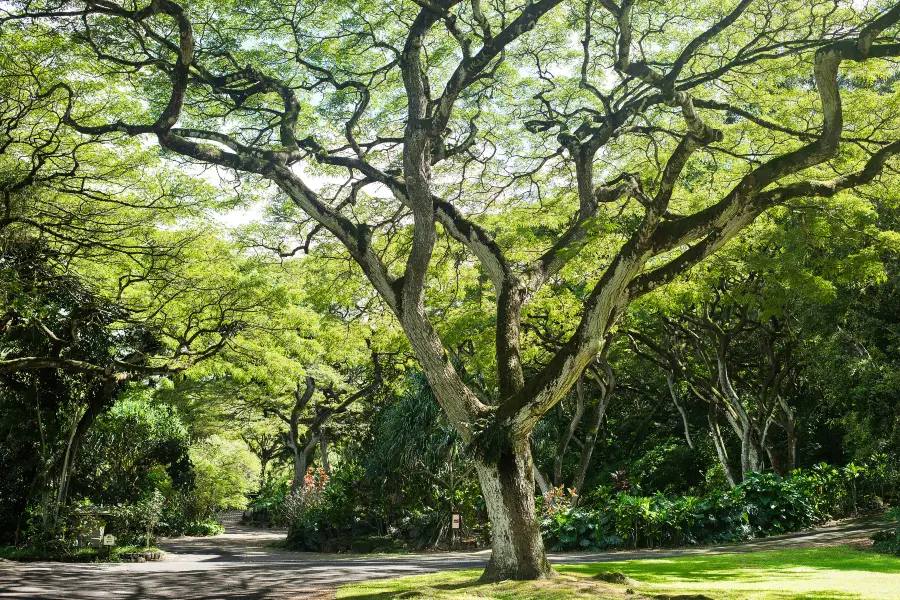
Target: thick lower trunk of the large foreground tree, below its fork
508	487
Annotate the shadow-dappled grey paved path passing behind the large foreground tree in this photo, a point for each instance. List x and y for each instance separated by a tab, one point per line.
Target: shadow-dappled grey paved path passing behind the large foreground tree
238	565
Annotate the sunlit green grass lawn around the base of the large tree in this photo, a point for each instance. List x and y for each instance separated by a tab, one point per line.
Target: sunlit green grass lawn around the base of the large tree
817	574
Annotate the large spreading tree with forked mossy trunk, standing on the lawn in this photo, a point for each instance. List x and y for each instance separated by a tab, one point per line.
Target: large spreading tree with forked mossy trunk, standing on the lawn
394	126
